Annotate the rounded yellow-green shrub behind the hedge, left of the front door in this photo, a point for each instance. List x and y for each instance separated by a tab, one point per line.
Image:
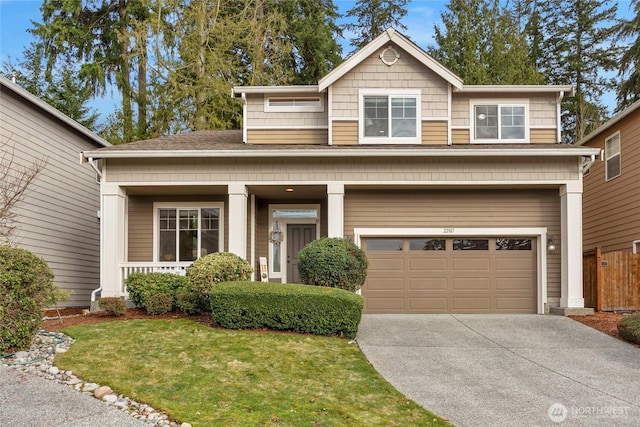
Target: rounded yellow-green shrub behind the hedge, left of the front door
209	270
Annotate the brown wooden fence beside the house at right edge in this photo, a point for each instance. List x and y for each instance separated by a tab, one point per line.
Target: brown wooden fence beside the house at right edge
611	280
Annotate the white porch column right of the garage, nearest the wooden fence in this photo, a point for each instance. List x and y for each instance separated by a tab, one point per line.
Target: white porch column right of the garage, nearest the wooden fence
571	294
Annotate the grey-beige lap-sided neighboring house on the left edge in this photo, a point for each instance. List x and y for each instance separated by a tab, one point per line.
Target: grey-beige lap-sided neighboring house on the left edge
58	220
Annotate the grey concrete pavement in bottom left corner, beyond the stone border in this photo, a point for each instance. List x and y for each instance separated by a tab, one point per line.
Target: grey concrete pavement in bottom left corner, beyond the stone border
27	400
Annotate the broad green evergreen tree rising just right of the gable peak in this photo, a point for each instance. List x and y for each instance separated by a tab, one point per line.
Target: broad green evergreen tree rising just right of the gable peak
481	42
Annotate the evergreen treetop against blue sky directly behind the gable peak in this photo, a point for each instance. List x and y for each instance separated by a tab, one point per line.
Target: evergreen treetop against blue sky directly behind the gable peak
373	17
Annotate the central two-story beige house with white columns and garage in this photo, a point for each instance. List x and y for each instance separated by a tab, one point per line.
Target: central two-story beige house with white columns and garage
460	195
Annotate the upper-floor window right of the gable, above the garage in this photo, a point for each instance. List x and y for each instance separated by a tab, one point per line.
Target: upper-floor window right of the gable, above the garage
499	122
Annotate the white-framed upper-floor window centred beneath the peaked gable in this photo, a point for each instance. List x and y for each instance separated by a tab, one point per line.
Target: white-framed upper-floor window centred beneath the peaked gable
390	117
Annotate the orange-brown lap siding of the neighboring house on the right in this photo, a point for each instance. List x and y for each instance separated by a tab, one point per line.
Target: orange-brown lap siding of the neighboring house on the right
611	210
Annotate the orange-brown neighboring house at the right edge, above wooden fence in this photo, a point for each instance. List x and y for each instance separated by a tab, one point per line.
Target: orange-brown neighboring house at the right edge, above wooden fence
611	204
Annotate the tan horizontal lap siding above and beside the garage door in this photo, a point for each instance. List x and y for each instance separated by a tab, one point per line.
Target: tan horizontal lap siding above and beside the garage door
460	208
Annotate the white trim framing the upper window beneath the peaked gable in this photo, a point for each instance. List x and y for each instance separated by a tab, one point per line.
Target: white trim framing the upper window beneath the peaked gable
407	93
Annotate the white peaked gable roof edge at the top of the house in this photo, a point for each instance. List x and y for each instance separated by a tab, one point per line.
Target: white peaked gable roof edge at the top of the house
390	35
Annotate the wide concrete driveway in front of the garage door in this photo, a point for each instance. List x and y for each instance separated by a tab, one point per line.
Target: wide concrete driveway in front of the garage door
506	370
